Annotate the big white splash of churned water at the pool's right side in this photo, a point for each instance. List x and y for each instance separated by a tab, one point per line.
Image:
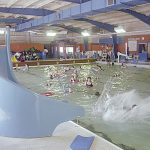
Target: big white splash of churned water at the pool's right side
123	107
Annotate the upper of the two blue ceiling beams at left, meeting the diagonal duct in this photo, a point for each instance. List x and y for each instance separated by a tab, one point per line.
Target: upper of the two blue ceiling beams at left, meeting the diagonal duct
26	11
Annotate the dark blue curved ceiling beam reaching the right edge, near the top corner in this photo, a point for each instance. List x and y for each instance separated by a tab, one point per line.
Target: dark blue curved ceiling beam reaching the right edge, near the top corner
140	16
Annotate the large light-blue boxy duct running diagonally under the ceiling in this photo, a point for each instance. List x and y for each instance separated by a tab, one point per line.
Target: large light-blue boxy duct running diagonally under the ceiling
89	8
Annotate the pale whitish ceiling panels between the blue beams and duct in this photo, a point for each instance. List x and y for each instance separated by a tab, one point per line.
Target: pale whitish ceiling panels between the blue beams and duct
116	18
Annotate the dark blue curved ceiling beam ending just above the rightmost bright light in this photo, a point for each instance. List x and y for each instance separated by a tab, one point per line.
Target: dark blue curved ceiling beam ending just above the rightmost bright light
101	25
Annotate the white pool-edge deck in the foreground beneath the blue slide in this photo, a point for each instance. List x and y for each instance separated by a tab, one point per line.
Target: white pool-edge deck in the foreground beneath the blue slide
62	138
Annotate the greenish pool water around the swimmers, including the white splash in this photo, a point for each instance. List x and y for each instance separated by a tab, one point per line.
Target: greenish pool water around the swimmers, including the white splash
111	114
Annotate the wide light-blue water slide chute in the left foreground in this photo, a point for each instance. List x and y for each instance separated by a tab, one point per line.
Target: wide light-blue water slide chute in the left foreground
25	114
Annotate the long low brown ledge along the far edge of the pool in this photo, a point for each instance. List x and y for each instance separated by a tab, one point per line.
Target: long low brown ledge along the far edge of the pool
53	62
